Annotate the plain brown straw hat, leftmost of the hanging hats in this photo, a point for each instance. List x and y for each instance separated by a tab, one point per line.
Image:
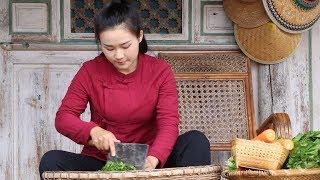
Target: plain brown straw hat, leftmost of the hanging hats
246	13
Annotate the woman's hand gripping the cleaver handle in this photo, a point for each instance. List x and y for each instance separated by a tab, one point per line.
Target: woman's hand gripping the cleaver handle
103	140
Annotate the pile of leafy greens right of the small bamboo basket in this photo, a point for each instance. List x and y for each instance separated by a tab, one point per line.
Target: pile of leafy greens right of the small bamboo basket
306	151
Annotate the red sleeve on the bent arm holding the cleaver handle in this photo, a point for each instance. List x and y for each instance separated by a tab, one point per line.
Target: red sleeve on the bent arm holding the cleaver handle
68	121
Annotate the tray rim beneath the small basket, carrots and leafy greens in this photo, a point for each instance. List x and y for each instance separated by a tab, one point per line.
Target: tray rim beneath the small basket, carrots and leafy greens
284	174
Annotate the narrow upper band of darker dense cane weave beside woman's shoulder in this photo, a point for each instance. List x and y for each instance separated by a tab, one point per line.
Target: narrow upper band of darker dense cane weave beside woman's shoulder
207	63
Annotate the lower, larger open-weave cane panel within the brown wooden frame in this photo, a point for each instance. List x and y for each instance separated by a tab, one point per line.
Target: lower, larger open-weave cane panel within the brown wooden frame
216	107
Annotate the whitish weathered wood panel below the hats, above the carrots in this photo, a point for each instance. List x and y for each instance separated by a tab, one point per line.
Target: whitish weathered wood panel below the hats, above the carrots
284	87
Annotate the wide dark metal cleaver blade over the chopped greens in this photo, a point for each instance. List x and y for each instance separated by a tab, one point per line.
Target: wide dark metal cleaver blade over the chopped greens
131	153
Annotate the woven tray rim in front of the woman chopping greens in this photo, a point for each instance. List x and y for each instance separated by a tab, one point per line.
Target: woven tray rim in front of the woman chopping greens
194	172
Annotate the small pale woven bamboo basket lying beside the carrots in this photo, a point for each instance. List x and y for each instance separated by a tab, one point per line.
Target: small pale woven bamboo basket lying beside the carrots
258	155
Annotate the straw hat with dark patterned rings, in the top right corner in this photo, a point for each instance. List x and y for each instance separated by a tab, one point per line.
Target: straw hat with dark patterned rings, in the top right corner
294	16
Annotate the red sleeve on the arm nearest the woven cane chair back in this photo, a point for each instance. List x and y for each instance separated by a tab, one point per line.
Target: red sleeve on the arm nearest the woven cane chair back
167	119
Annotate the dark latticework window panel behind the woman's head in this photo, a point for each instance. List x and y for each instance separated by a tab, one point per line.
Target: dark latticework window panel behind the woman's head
159	17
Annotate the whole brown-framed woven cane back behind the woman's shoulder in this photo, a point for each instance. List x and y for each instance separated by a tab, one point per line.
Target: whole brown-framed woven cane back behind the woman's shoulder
214	95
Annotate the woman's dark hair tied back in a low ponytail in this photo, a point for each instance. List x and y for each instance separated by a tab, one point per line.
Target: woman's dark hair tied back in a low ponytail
117	12
